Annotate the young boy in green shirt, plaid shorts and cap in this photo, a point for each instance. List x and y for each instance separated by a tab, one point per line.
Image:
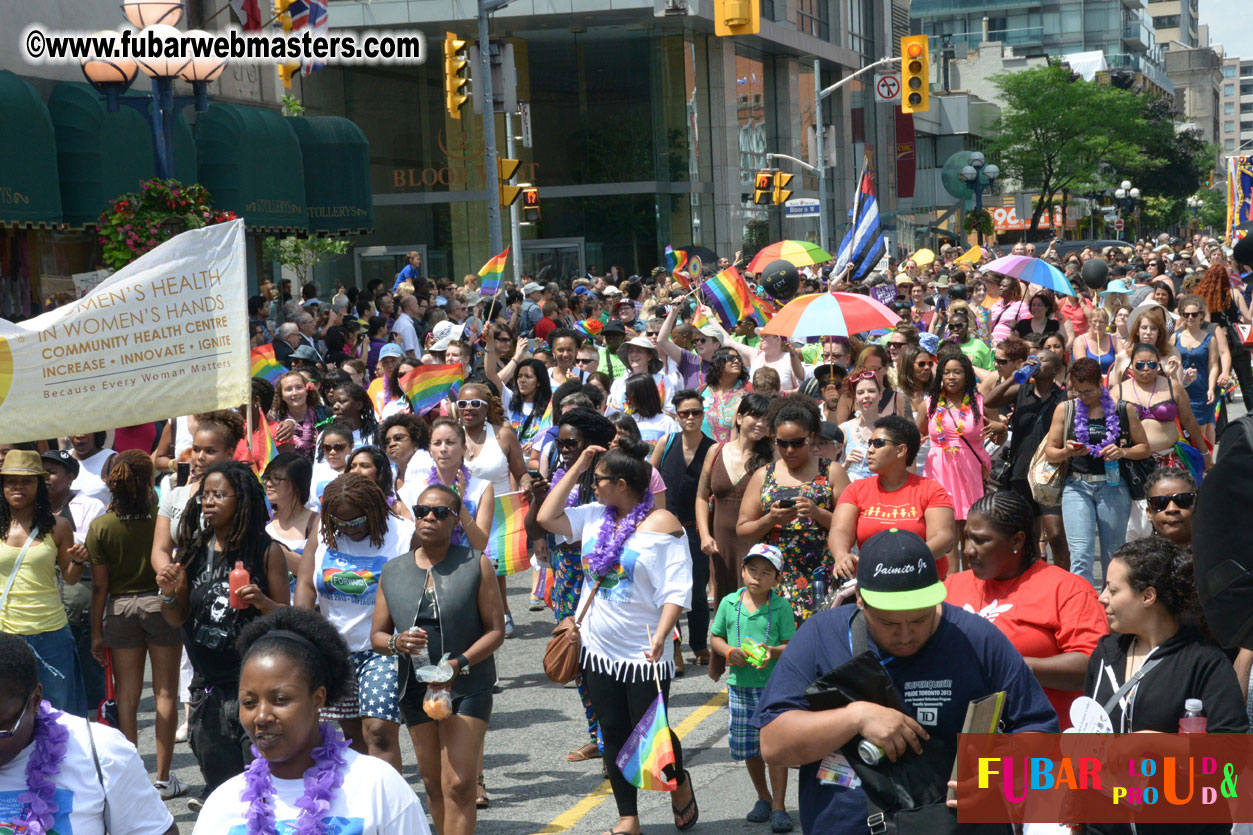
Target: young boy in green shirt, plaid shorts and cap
755	612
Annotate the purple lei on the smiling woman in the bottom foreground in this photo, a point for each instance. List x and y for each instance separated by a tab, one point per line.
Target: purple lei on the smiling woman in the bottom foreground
321	782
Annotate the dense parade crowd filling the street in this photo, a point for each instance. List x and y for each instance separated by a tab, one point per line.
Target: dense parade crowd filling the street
993	495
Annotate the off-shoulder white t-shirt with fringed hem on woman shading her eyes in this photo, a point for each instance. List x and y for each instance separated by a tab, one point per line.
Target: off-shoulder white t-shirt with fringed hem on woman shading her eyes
655	570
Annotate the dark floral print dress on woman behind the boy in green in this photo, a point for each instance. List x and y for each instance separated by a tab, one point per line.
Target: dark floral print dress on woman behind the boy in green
804	542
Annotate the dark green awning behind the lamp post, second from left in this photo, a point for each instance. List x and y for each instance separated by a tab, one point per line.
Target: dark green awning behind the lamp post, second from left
103	155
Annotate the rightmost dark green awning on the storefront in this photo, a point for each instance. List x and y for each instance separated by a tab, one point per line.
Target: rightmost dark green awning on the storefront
336	176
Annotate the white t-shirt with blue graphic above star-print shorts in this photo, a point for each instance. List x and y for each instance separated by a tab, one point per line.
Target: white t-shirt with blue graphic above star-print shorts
346	580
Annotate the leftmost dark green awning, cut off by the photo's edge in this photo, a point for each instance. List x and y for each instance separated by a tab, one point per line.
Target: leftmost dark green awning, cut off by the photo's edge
31	192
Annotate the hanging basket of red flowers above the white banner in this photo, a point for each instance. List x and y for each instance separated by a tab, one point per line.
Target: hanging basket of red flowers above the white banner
162	209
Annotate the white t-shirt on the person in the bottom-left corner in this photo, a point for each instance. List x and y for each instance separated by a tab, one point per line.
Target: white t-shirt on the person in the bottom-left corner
135	806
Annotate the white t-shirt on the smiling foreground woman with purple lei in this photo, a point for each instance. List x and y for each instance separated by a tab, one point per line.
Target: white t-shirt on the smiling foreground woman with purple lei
374	801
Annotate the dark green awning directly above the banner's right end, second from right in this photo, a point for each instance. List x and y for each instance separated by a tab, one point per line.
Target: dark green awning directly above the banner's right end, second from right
251	162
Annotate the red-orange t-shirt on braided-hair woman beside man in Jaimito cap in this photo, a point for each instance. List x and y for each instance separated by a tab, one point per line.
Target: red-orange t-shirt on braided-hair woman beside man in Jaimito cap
1044	612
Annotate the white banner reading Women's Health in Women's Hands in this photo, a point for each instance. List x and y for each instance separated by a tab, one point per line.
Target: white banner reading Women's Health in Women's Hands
167	335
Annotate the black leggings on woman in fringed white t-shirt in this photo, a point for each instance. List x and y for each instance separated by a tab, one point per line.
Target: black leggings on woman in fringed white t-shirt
620	708
